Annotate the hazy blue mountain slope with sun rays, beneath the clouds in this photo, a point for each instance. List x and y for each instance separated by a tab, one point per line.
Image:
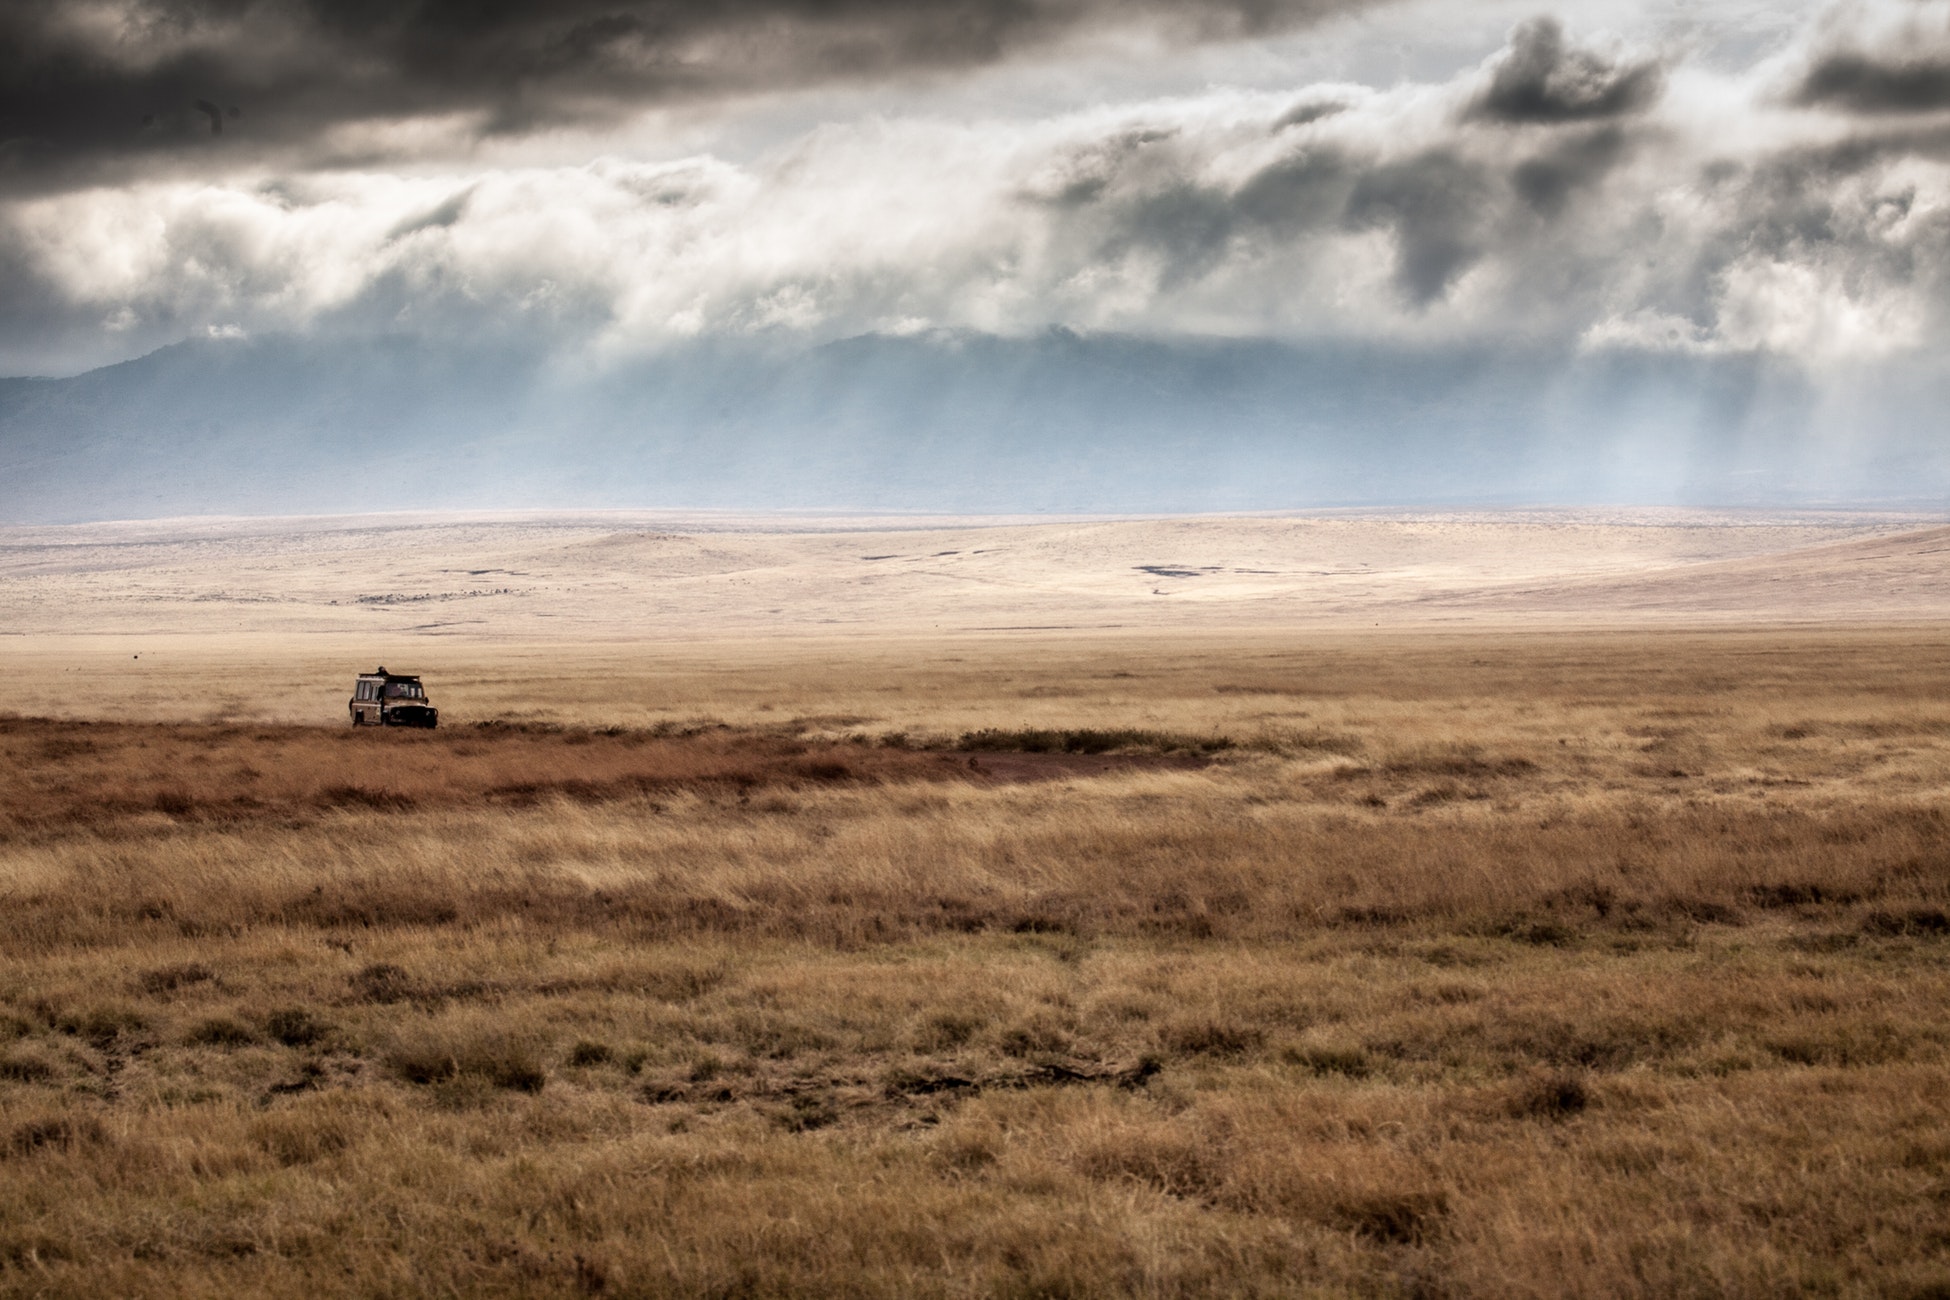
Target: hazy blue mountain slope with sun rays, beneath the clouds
1056	422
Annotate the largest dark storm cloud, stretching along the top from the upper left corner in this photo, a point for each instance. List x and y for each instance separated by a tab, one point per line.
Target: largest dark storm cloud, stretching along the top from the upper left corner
161	79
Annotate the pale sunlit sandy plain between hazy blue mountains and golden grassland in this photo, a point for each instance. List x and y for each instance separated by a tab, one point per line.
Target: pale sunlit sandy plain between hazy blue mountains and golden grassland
639	574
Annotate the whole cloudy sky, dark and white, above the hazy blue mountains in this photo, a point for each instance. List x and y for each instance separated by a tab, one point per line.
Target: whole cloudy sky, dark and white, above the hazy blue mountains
607	180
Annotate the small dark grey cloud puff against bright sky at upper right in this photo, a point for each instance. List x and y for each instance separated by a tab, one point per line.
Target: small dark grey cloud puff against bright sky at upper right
1543	79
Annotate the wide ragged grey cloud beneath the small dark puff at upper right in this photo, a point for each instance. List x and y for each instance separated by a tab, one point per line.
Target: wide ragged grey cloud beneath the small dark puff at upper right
1473	194
